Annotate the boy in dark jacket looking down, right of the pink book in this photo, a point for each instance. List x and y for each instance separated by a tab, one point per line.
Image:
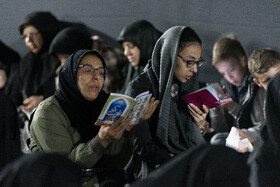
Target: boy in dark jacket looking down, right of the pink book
246	110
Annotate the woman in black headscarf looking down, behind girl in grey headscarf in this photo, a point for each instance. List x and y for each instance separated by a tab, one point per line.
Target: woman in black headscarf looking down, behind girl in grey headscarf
138	39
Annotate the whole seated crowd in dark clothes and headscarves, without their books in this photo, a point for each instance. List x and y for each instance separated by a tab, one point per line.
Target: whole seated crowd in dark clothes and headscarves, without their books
51	98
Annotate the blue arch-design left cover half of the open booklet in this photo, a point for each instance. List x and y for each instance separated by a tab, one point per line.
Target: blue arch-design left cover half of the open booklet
116	106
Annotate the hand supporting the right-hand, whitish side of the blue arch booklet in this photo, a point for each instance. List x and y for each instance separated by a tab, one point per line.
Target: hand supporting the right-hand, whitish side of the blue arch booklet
147	113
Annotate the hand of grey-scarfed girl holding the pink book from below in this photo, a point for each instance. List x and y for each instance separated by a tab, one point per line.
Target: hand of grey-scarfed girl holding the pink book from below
198	115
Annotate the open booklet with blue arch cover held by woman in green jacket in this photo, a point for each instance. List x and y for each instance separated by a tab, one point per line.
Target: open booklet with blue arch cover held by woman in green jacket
119	105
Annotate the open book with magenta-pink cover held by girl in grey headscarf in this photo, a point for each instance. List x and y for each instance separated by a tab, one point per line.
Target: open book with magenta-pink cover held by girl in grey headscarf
211	96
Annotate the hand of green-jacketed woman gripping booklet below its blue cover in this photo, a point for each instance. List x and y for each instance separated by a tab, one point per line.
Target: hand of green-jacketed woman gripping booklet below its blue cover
108	134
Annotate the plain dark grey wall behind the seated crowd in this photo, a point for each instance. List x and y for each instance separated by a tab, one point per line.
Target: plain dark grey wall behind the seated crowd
255	23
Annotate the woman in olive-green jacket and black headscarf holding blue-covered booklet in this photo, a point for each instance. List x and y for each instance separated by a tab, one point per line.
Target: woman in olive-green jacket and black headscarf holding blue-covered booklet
64	123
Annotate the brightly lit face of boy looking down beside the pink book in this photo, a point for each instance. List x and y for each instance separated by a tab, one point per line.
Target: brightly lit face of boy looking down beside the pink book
233	70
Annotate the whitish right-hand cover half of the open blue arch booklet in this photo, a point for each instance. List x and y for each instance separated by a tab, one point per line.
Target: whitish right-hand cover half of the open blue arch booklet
139	106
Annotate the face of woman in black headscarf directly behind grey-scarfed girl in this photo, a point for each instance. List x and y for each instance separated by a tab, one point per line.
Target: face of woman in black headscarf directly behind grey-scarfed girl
132	52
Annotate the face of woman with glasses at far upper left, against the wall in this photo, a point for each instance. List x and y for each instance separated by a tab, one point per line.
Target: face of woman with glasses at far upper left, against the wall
32	38
